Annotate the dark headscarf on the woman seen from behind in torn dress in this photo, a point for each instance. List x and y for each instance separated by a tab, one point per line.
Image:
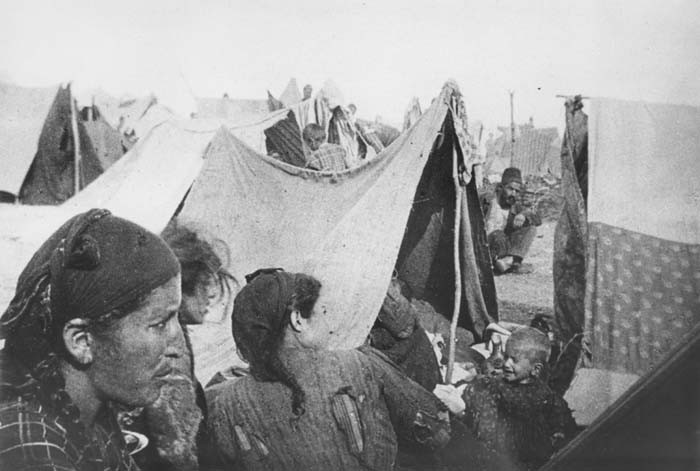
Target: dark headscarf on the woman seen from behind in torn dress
258	317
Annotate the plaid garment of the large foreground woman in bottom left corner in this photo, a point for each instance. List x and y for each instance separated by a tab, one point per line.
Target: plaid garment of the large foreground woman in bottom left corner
35	436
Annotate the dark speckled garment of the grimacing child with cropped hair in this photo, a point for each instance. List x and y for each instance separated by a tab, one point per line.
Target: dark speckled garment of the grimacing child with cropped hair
523	423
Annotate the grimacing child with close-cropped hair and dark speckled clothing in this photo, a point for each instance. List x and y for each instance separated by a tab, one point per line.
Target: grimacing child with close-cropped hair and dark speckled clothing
515	415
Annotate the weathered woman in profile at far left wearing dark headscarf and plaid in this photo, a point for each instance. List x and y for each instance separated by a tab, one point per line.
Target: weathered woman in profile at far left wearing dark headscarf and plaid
93	322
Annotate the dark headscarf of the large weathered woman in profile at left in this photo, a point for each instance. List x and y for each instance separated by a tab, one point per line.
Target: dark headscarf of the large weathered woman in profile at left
92	265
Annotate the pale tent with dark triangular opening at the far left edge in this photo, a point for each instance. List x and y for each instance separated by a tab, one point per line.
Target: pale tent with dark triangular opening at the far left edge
38	146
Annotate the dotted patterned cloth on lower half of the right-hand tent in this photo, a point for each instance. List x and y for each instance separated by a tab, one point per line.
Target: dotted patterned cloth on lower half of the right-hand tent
643	295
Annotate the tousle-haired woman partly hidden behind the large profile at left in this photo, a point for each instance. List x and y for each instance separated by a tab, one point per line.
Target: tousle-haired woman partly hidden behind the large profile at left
173	422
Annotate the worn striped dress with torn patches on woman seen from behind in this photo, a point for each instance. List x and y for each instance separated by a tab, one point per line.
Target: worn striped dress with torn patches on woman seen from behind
356	405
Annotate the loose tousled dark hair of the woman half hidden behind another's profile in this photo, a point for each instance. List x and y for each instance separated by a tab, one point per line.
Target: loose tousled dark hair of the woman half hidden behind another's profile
199	262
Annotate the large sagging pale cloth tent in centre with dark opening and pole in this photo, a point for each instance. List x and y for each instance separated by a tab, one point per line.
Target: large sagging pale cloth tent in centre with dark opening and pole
351	229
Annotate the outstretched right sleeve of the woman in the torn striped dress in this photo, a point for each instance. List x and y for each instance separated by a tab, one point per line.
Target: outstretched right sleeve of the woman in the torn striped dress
417	415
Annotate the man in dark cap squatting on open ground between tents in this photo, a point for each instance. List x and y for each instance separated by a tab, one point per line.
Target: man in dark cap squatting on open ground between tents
509	227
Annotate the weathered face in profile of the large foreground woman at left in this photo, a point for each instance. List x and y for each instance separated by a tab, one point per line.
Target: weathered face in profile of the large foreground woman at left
132	359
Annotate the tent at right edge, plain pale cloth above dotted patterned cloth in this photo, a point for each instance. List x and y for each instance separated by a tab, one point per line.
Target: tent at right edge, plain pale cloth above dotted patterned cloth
627	249
